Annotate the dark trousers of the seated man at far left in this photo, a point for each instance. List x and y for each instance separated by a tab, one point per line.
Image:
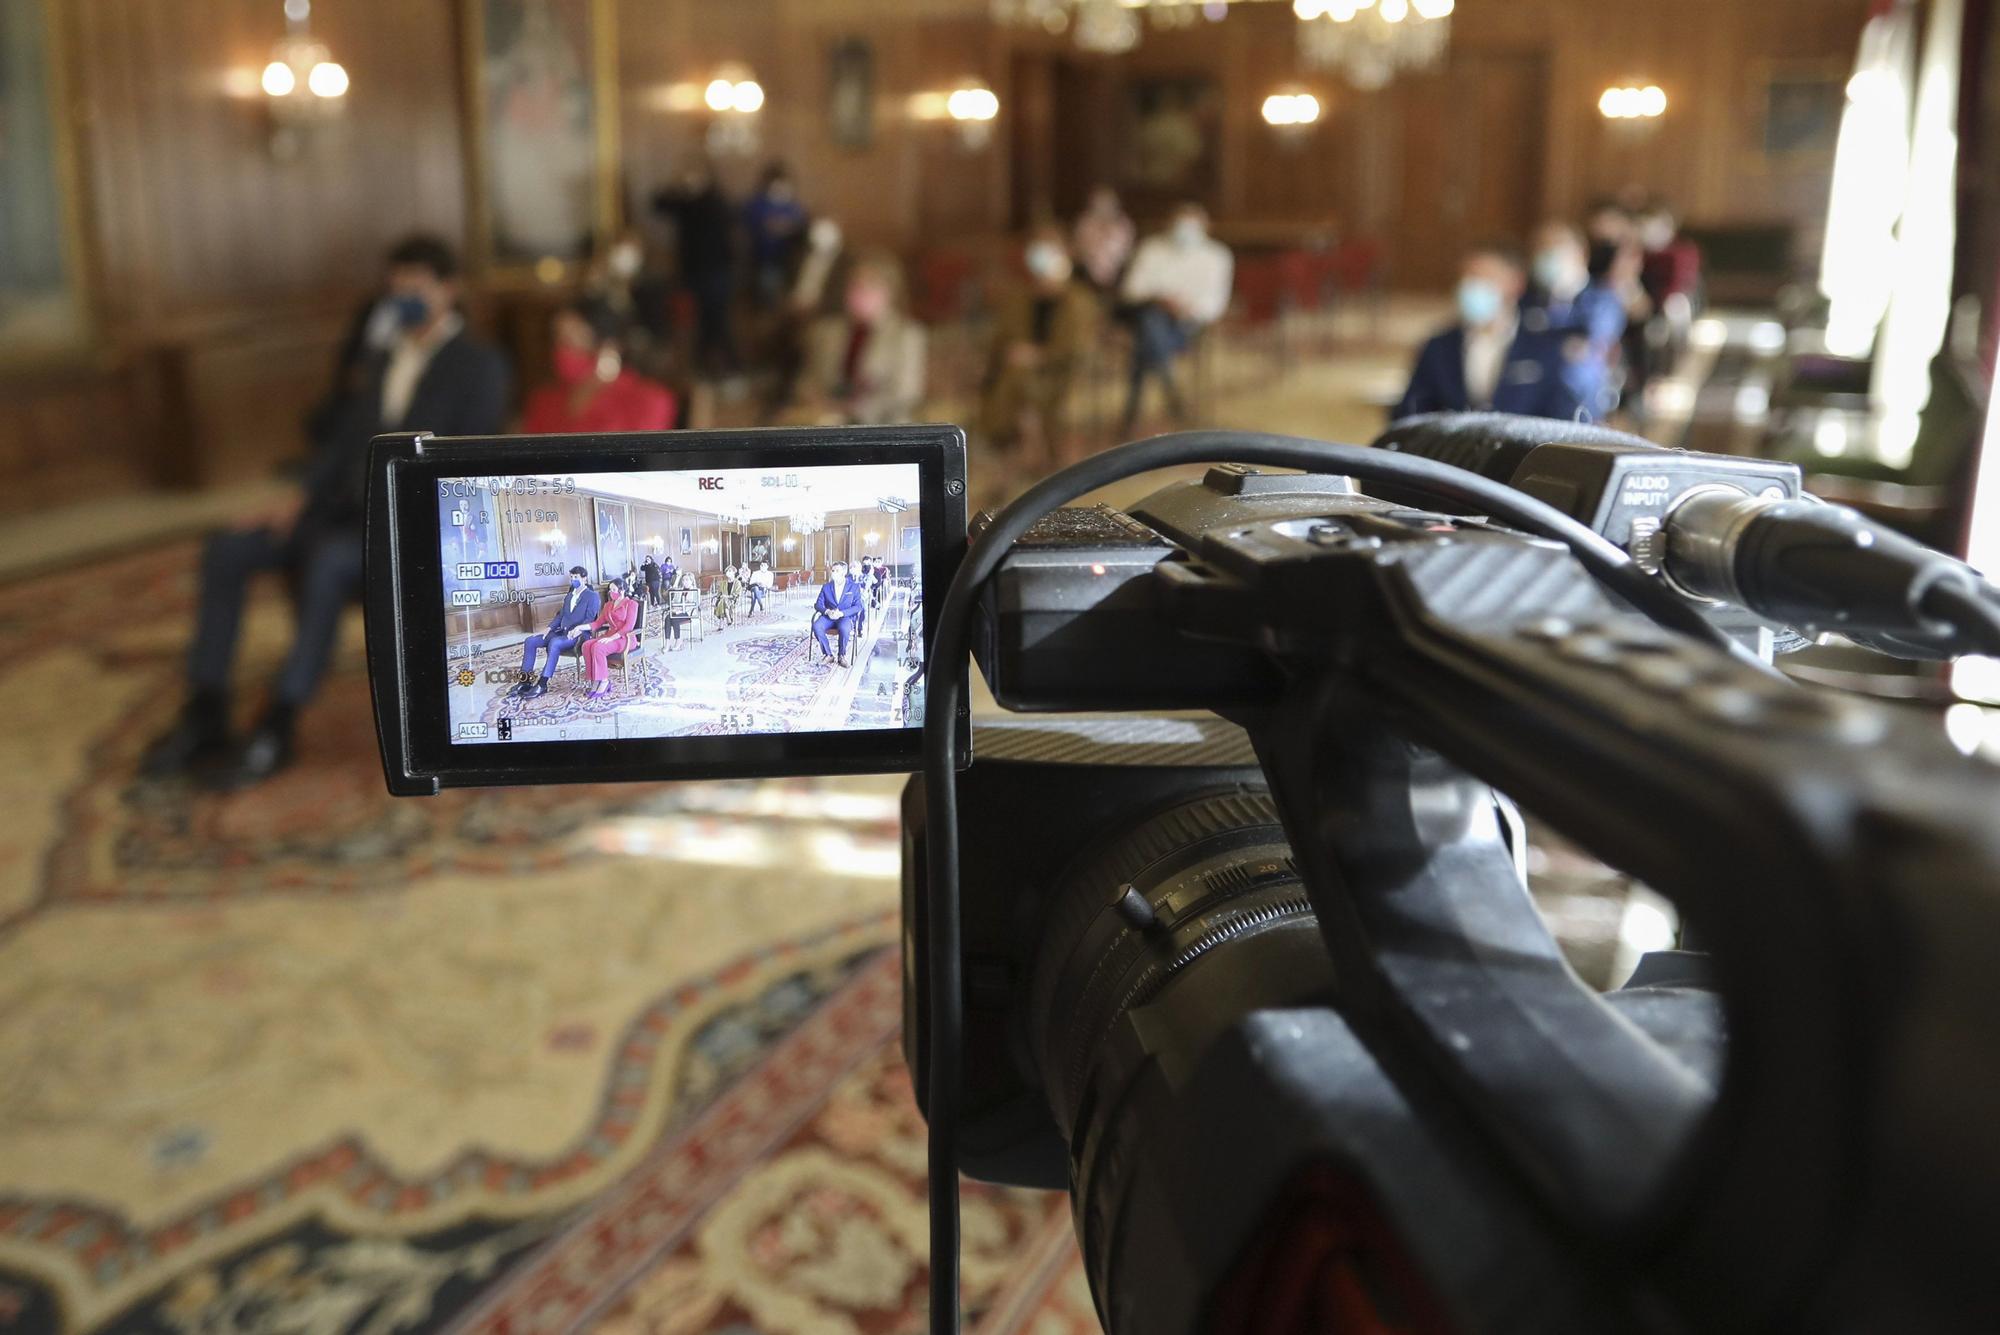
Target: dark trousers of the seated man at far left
327	571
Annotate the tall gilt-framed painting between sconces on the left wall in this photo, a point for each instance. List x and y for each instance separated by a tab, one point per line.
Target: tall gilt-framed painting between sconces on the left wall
543	123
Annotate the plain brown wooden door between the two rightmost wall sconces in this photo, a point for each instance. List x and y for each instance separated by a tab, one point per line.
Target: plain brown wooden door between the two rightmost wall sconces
1473	145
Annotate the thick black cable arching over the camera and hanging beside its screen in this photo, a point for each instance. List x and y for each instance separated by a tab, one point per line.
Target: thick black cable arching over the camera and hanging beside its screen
951	649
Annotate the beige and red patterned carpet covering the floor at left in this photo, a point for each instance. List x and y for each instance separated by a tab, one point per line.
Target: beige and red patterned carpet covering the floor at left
317	1062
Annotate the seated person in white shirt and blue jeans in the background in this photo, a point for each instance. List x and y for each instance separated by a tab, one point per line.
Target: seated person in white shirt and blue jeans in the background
1177	287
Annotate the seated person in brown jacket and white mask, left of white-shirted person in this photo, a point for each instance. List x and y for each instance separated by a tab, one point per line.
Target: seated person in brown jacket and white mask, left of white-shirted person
1043	333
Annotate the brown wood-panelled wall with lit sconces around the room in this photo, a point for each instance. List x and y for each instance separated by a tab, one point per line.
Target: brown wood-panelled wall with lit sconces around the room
213	259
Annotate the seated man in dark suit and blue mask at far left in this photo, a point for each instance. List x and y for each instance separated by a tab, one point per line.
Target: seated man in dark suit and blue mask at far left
433	377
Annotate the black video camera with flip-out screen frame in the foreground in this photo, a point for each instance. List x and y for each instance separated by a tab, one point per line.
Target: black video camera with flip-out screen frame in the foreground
1263	984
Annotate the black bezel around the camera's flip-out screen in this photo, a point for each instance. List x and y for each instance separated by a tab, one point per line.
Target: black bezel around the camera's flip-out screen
407	625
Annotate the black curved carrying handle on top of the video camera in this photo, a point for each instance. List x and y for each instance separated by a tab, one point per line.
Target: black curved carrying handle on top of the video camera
1841	860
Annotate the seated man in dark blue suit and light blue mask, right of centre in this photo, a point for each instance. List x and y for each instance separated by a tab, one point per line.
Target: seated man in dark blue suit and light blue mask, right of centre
1489	361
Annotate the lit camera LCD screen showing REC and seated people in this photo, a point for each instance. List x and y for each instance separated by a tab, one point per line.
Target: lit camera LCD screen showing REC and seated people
705	603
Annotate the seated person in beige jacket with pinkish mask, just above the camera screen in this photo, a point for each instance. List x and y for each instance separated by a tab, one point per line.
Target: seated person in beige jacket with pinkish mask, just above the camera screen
869	363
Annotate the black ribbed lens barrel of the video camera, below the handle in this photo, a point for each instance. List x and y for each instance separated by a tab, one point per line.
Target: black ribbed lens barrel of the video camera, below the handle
1195	914
